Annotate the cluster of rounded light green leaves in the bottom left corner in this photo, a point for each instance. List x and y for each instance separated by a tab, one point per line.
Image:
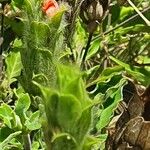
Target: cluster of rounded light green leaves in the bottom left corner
17	122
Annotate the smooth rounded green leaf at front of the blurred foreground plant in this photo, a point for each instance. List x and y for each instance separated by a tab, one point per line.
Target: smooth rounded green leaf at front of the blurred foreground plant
68	111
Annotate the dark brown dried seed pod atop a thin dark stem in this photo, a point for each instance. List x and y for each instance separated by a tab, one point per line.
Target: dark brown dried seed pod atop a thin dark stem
92	12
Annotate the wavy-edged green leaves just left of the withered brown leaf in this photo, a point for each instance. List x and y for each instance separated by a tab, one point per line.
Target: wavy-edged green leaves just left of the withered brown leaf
108	93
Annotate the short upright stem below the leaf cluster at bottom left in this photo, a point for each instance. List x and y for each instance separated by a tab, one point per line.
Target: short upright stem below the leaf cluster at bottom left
27	142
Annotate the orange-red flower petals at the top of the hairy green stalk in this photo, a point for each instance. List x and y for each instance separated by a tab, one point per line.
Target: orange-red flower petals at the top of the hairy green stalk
50	7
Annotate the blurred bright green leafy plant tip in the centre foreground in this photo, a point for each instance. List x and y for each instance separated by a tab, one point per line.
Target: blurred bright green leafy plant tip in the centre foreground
68	112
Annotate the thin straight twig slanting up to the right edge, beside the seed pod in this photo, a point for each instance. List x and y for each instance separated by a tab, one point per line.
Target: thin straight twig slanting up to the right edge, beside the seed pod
121	24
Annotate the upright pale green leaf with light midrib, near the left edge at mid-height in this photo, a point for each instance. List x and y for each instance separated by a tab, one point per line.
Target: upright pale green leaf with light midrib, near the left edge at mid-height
14	66
